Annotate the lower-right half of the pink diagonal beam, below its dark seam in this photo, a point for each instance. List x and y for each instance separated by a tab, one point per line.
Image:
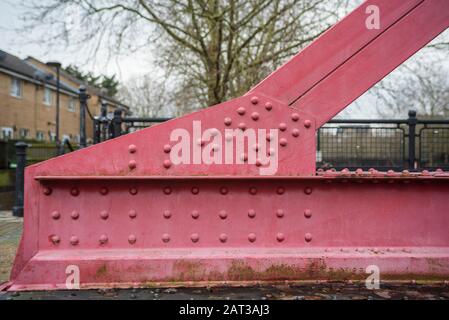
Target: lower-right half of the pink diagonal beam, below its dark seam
375	61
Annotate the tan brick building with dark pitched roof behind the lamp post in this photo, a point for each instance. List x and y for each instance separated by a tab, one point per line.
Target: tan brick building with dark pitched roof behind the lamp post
28	101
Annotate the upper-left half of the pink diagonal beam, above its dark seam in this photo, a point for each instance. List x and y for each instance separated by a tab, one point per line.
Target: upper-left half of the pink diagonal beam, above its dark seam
331	50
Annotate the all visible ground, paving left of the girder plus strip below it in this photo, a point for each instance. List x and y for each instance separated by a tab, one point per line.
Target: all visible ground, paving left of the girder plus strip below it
11	229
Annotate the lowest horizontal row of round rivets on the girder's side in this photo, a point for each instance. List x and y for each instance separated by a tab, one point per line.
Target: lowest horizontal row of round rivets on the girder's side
194	237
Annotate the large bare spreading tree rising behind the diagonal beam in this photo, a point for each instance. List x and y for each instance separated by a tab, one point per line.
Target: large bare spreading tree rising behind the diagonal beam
213	49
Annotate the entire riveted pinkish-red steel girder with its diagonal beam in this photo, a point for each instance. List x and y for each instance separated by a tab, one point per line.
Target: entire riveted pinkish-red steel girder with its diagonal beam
125	214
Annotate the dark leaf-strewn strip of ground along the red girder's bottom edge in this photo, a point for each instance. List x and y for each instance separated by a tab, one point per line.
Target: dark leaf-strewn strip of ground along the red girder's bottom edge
328	291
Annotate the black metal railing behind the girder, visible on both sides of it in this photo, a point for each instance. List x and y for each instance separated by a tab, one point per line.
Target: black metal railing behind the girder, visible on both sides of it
396	144
